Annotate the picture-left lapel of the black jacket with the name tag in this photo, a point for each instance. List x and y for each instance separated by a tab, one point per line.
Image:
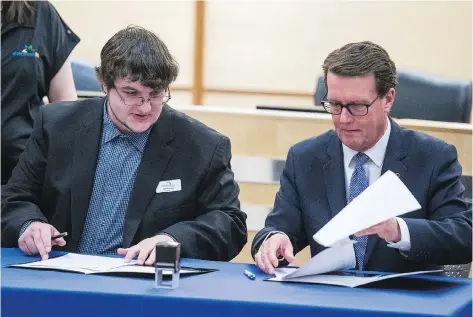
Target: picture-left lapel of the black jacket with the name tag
84	163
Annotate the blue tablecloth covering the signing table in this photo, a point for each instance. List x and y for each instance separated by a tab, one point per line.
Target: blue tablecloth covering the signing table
226	292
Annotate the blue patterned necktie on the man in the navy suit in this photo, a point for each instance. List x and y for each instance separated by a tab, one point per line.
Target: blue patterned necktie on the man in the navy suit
358	183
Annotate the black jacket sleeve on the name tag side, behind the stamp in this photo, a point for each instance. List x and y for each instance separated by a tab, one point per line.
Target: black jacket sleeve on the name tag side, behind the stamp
219	231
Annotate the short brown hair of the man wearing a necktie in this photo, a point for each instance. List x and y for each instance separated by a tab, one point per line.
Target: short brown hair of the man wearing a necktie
360	59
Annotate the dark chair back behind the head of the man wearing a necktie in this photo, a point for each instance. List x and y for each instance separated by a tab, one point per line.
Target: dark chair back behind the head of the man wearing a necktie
419	96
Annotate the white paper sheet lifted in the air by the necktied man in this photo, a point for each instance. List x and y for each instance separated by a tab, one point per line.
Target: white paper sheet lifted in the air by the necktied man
386	198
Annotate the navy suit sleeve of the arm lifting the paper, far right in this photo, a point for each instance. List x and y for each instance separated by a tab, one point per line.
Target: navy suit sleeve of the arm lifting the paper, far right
445	237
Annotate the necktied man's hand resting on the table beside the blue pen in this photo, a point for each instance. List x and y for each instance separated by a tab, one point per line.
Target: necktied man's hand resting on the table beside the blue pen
277	245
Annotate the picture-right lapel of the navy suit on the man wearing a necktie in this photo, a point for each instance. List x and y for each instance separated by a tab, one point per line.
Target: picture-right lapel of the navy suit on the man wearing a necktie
395	153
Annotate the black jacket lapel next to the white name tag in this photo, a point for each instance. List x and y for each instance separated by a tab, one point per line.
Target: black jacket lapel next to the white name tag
155	159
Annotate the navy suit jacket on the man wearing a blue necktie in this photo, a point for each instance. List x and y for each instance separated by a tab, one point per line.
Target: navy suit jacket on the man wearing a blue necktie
313	191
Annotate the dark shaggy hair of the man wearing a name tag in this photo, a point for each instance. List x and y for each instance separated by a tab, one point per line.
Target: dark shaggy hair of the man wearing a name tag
139	54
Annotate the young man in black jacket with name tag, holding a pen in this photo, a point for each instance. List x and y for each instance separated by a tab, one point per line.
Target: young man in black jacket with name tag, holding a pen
124	172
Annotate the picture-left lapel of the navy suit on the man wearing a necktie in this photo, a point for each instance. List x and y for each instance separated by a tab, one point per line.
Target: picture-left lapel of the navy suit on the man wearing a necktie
334	175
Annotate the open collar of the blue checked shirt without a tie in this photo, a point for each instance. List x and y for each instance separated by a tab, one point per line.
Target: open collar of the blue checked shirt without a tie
110	132
